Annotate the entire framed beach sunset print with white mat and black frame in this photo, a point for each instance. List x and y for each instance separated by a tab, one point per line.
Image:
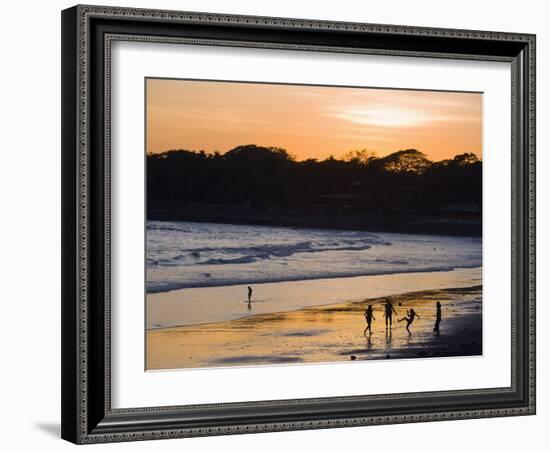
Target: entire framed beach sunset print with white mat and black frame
280	224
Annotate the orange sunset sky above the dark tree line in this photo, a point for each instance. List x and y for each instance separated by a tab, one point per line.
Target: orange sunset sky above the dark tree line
310	121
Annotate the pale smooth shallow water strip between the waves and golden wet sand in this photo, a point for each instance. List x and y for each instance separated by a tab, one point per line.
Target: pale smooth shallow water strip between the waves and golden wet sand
195	306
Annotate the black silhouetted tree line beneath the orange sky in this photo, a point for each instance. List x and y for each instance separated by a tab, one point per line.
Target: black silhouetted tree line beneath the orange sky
255	180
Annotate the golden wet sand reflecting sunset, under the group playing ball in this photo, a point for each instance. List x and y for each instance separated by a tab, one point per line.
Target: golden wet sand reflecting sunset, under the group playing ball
329	333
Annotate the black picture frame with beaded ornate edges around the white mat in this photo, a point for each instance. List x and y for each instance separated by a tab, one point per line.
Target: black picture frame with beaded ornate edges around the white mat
87	32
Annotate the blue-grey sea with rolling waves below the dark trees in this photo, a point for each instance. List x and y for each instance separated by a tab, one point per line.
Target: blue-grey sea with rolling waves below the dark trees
188	255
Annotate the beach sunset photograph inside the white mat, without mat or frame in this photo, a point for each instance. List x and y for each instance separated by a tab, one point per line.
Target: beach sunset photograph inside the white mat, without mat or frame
297	224
